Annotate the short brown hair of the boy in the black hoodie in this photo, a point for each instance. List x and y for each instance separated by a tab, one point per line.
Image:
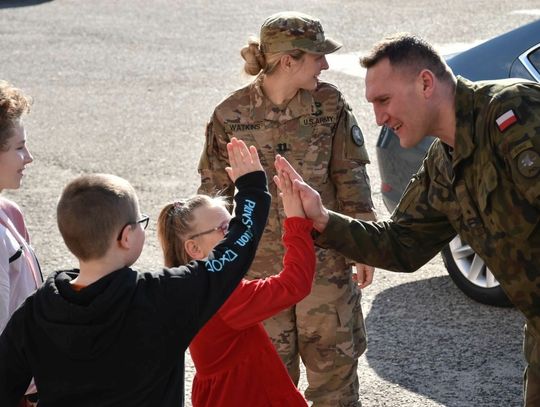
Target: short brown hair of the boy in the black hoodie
92	211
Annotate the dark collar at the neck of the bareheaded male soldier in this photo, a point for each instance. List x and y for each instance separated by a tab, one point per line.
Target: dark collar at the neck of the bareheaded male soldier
464	108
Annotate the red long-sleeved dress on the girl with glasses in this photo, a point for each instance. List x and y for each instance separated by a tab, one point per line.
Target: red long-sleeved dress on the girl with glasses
236	363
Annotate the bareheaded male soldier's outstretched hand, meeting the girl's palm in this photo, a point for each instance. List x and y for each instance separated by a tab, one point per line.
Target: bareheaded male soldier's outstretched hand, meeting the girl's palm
311	200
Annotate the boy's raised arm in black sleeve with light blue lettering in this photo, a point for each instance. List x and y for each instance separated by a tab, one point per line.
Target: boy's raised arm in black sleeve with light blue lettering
196	291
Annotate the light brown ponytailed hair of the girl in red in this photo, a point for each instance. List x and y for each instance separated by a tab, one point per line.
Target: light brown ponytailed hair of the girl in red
176	223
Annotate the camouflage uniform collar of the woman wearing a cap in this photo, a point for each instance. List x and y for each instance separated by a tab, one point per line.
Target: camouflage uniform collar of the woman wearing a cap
263	109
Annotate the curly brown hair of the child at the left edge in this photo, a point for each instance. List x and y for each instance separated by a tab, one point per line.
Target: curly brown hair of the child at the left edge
13	105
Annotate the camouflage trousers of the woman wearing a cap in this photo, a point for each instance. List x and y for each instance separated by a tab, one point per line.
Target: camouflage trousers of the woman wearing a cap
329	336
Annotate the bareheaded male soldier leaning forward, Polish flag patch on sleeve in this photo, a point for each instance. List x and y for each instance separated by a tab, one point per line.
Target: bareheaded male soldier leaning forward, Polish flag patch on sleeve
480	178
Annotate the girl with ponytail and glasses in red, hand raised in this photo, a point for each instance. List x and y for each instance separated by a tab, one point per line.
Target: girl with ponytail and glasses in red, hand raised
236	363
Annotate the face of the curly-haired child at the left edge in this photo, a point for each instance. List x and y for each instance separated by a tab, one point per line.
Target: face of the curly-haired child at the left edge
14	158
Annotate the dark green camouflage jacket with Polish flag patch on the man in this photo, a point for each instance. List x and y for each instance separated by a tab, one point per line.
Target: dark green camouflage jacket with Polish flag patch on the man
487	189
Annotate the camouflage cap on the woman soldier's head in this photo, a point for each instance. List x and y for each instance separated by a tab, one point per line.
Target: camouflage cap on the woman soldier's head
291	30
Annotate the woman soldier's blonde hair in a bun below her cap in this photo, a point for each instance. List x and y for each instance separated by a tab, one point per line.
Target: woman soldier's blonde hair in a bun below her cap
257	61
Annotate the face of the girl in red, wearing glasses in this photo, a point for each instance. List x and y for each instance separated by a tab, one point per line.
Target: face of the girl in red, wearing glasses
210	226
